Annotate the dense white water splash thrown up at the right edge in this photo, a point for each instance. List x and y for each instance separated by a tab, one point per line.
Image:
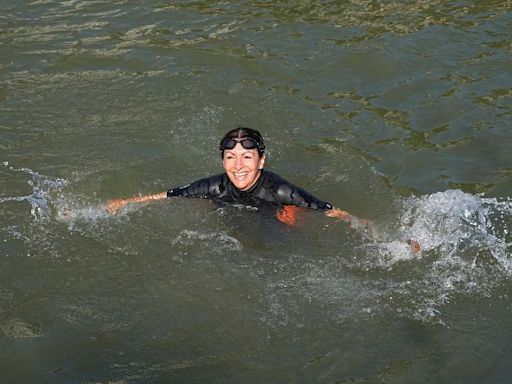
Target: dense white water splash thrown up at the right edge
458	224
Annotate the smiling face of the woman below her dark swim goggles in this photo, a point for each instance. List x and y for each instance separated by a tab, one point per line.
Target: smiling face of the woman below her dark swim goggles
243	166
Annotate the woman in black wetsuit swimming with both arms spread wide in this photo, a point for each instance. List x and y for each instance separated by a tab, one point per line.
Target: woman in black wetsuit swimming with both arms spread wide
246	181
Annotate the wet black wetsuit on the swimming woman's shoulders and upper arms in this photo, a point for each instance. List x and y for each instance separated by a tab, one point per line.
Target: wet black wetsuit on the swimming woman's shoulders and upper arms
269	187
